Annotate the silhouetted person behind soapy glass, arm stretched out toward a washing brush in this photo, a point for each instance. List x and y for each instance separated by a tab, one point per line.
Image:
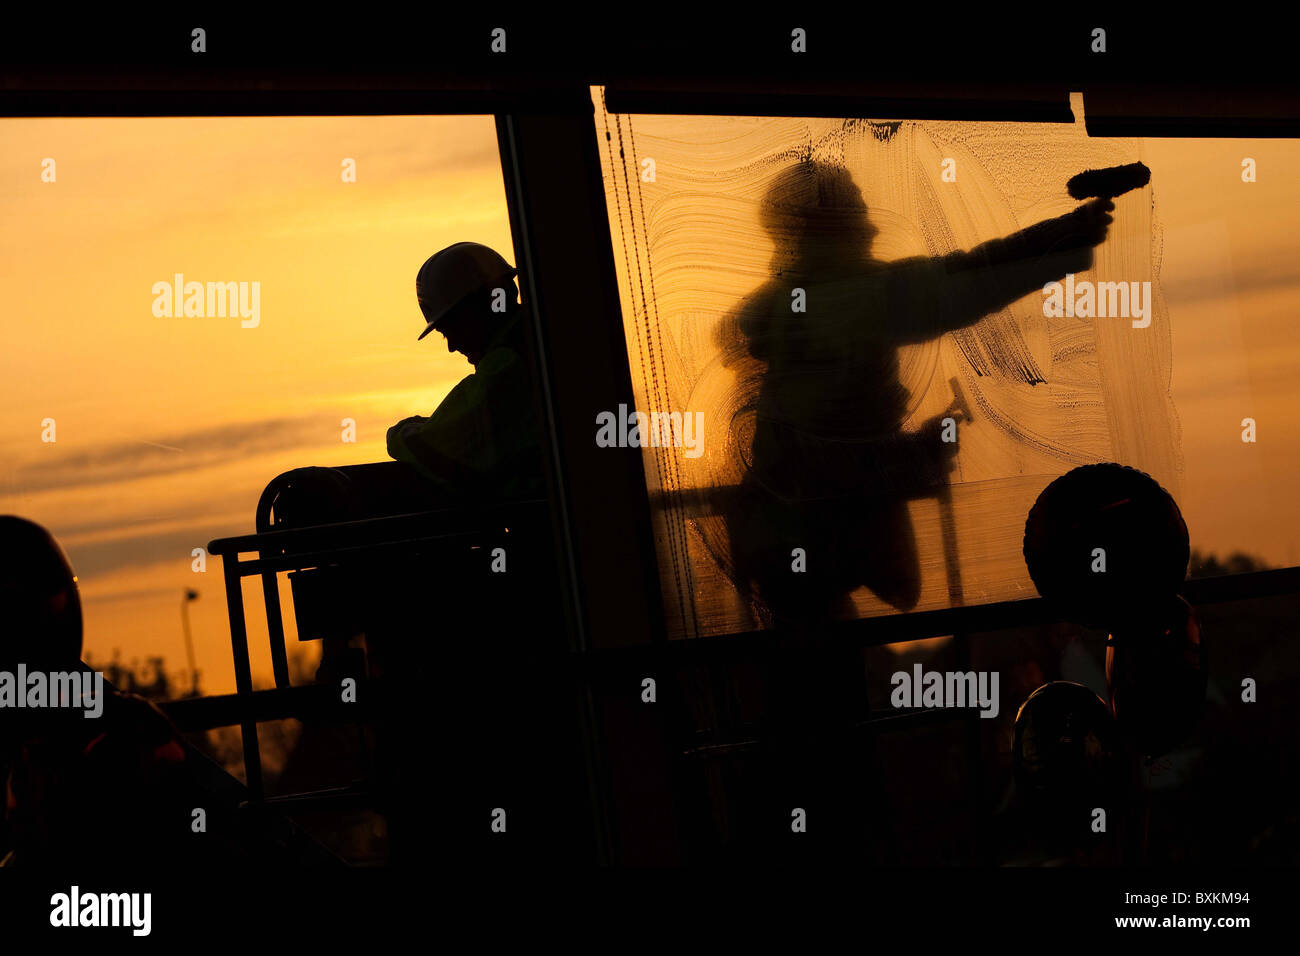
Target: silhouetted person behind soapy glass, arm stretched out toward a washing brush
831	470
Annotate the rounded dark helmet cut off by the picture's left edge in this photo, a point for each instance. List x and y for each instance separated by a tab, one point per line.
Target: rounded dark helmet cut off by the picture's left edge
40	602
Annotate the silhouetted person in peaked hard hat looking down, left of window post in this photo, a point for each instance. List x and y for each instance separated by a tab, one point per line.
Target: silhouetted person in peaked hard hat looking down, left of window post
483	442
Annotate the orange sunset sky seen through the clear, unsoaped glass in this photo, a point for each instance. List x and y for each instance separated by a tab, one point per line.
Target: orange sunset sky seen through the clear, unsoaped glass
170	429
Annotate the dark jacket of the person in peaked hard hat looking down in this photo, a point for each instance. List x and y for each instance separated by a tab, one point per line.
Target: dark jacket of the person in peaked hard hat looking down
484	440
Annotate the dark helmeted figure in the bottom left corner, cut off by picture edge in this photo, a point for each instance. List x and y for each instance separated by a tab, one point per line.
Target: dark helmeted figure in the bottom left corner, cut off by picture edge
114	788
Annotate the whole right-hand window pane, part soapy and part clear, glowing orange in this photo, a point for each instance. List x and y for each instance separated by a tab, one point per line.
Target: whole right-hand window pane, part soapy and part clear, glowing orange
816	308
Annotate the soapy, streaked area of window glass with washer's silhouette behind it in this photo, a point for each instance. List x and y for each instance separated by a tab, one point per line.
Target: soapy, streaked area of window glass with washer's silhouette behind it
821	427
